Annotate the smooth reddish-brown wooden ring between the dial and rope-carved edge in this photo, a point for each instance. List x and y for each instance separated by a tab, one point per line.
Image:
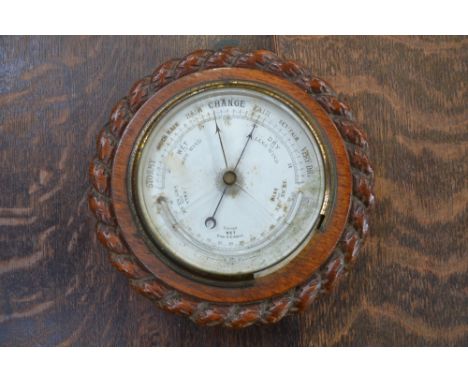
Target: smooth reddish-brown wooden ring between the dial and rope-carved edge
299	269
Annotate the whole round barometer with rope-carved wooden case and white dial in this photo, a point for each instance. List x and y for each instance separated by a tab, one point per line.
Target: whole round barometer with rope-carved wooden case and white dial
231	187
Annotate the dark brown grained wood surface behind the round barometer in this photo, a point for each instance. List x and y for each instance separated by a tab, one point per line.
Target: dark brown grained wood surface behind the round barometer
410	286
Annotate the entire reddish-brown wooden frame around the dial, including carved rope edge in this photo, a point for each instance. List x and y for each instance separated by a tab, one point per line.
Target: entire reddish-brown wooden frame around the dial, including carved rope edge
295	286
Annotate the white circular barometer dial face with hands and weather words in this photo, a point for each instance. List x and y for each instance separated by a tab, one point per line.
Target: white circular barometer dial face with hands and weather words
230	181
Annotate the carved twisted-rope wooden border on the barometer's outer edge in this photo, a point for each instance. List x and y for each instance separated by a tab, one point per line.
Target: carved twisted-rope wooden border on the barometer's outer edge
241	314
